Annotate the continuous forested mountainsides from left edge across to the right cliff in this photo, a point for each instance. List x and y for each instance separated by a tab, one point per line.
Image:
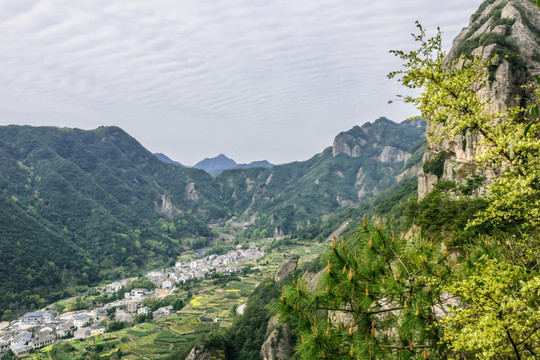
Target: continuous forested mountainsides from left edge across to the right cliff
109	205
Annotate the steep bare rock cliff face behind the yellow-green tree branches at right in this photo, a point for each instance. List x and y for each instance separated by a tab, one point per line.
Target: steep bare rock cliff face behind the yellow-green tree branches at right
505	27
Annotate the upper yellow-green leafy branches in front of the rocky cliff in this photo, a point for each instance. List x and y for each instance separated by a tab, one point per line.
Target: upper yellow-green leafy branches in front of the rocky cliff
449	100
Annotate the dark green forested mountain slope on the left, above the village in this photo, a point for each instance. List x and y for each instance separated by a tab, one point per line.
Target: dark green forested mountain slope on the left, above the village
85	203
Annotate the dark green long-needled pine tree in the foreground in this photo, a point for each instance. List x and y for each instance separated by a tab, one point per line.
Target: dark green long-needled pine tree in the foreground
379	299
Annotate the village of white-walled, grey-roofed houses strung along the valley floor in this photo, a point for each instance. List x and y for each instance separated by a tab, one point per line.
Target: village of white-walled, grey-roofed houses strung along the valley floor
35	330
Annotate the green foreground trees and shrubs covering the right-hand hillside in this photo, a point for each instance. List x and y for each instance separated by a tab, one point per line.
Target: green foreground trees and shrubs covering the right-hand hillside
452	275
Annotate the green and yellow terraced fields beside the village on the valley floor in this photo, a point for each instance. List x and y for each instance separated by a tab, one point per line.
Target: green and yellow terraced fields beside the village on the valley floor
213	299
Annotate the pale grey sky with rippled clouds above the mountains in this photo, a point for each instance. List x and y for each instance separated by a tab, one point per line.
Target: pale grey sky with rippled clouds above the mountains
252	79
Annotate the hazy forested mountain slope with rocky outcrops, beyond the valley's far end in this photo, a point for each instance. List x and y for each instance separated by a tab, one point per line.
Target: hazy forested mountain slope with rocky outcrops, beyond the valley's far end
288	197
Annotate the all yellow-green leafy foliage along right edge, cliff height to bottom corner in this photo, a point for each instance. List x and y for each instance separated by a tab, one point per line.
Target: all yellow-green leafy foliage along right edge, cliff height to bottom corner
499	312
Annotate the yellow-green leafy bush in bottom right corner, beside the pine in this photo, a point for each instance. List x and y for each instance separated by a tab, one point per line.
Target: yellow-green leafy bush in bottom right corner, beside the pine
501	315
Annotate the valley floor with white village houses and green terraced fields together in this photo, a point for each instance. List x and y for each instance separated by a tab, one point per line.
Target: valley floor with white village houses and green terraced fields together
208	303
